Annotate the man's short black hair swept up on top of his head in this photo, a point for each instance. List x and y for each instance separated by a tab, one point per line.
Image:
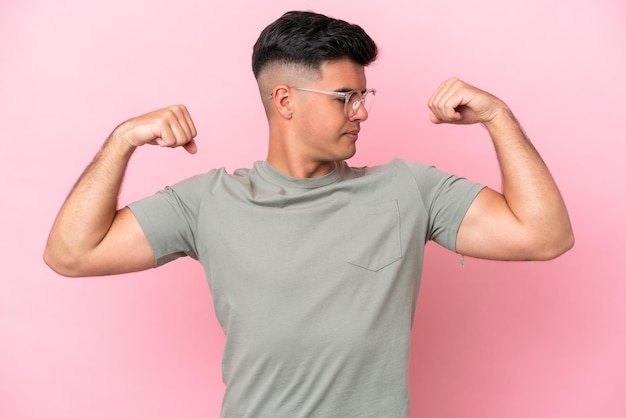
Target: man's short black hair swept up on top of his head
310	39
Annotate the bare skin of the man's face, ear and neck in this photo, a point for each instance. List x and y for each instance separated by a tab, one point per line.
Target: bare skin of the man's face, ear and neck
309	132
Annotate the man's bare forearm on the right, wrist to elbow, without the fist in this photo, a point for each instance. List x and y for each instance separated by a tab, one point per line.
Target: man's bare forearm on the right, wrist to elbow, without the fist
528	186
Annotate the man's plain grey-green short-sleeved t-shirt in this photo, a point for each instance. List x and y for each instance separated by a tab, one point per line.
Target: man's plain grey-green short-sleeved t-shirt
314	281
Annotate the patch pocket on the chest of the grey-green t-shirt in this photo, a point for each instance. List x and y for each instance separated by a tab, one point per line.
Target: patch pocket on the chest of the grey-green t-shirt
374	235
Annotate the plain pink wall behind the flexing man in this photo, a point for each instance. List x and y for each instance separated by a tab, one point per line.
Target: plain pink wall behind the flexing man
490	339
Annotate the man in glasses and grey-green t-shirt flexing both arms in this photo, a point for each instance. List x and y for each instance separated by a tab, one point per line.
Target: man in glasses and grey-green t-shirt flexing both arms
314	266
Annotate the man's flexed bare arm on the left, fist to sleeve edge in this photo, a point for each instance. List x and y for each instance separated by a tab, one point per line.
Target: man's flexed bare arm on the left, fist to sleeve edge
91	236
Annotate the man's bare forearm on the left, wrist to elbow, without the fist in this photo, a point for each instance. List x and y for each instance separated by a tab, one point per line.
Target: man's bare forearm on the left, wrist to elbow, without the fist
90	208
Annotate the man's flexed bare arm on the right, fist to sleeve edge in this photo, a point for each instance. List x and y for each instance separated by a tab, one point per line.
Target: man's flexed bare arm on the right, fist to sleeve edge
528	220
